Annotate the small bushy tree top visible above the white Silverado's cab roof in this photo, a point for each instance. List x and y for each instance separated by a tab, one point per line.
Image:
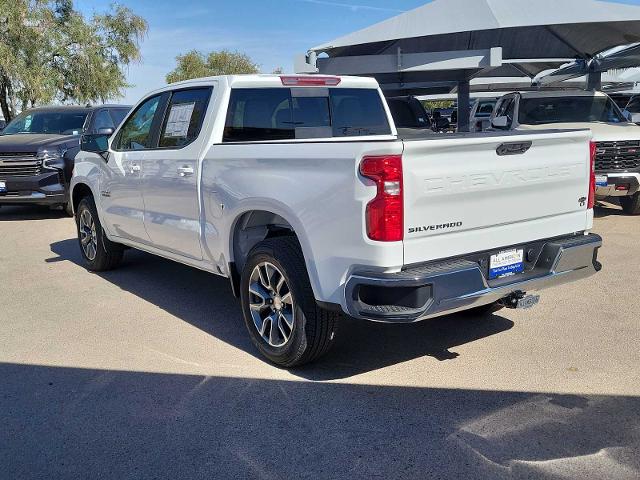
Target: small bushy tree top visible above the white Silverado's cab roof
195	64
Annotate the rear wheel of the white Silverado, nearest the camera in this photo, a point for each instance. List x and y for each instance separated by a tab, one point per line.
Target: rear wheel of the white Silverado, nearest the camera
280	311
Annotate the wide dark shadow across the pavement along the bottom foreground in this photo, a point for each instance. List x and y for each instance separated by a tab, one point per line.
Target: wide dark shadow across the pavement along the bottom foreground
75	423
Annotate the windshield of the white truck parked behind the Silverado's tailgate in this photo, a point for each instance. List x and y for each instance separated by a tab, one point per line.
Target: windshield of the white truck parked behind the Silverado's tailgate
540	111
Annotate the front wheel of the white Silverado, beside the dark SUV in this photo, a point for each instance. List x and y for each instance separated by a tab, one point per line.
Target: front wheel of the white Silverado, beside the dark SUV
99	253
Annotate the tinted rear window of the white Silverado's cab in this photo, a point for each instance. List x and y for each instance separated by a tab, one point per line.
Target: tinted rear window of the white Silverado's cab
271	114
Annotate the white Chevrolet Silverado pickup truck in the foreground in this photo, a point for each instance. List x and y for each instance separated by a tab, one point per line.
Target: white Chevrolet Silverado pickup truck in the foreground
303	193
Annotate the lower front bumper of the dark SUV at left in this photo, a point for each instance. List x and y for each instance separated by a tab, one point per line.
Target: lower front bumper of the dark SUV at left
44	189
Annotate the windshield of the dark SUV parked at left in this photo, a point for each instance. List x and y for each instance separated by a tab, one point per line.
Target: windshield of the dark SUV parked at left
47	122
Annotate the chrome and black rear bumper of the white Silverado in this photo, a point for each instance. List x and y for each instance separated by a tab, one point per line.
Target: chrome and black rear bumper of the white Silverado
441	288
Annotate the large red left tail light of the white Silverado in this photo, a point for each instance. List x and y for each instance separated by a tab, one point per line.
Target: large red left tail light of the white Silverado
385	213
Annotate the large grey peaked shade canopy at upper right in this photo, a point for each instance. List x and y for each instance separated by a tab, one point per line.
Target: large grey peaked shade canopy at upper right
448	42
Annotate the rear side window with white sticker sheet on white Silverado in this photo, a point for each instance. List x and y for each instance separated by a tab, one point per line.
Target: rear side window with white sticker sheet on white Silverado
184	117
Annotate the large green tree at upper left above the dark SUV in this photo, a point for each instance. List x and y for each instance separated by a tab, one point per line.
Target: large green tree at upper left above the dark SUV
50	52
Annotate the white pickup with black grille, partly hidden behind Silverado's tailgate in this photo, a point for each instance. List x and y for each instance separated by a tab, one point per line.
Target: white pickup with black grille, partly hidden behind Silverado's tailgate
617	141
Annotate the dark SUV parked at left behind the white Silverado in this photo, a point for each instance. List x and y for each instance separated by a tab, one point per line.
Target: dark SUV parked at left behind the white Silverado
38	147
